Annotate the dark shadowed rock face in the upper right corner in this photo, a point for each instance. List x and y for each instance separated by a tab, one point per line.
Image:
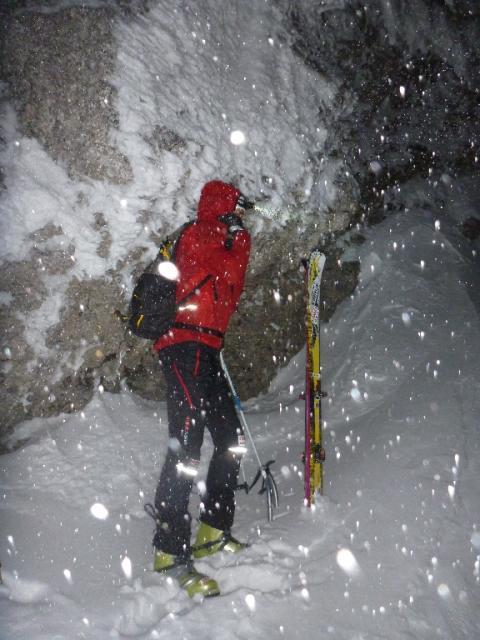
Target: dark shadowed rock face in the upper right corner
411	71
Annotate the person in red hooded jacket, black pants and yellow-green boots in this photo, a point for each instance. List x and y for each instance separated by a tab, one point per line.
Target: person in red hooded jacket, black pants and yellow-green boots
211	256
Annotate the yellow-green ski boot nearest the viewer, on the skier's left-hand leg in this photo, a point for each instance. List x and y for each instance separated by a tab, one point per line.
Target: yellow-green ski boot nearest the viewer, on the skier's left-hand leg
183	571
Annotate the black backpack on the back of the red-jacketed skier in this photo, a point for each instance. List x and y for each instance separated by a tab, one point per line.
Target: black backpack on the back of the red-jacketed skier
153	304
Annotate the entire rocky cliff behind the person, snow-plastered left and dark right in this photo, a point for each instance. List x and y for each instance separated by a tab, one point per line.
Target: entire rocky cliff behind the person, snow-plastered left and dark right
115	113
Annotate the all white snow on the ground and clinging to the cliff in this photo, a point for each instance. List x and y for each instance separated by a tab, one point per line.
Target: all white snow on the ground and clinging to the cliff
393	547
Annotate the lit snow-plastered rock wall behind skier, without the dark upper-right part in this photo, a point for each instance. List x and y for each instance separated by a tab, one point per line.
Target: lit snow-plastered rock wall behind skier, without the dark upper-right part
112	119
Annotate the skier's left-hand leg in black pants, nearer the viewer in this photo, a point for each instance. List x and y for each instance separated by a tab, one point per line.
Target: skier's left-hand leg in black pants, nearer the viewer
186	427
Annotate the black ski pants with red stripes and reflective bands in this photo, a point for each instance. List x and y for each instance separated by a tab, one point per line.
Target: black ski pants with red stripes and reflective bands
198	396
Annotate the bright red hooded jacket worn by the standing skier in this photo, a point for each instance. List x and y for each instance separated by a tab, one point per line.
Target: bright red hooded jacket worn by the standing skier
201	252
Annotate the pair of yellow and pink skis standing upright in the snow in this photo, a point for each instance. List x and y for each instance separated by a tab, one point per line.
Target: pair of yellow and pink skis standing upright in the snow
314	452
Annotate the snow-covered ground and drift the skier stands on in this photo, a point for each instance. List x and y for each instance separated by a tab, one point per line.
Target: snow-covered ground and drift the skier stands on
391	551
